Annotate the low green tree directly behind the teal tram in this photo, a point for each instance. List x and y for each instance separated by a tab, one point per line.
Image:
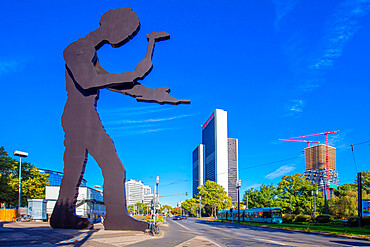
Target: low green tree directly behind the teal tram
266	196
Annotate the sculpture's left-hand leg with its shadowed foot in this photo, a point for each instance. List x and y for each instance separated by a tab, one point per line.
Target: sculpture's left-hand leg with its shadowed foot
64	211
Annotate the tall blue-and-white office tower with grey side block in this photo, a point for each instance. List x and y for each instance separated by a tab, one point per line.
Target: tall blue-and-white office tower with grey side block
214	153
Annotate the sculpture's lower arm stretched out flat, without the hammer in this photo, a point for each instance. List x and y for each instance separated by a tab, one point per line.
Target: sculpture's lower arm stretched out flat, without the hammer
157	95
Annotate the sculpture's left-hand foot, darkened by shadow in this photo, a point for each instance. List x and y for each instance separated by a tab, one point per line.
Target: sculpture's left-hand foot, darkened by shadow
63	220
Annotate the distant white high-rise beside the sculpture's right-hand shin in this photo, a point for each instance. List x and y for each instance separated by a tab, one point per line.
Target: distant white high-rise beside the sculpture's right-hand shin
136	192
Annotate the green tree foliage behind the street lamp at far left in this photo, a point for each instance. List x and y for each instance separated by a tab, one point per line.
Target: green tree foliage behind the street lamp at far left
33	182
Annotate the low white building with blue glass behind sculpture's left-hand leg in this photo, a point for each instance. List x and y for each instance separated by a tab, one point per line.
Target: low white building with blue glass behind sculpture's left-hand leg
89	202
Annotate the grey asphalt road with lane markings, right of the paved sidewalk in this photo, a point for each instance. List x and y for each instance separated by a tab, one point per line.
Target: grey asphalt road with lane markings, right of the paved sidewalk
226	234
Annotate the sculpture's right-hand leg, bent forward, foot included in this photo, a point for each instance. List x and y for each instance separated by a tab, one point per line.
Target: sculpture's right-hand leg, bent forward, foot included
104	152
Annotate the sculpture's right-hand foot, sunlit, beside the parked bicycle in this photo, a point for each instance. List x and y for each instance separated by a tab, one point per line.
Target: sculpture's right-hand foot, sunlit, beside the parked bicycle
125	223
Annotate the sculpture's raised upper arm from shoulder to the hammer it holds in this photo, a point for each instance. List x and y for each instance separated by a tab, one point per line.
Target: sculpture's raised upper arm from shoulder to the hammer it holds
78	61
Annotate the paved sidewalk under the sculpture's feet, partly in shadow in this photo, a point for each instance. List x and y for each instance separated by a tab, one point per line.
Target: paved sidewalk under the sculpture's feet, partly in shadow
35	233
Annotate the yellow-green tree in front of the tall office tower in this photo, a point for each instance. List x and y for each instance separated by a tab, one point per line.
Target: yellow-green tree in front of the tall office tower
213	196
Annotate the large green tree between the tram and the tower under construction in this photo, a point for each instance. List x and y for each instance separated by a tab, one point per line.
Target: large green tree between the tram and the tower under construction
297	187
